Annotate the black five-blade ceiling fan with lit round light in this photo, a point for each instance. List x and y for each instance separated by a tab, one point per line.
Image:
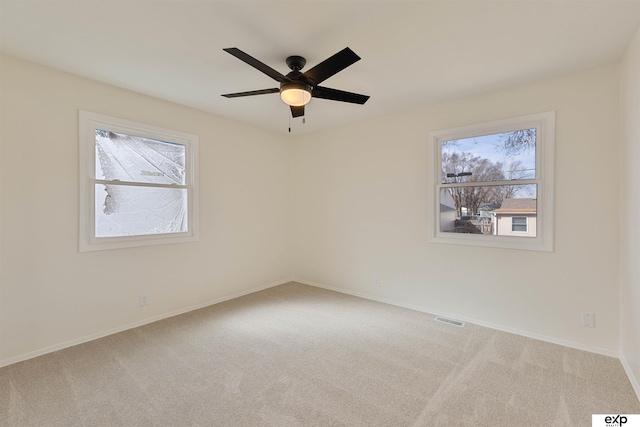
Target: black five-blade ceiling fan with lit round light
297	88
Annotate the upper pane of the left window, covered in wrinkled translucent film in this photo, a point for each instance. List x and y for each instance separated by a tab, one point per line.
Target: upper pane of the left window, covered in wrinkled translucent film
137	159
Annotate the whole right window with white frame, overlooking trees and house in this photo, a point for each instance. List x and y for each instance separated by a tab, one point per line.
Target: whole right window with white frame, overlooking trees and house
492	184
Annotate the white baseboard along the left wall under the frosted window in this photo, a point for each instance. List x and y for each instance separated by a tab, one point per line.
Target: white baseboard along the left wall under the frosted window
81	340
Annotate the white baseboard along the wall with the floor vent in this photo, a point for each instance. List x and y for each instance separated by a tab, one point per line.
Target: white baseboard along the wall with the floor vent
553	340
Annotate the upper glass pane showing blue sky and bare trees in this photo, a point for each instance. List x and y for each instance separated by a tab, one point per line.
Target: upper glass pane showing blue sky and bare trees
499	157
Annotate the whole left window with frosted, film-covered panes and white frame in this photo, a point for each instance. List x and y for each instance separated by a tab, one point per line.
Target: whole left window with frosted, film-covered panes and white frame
137	184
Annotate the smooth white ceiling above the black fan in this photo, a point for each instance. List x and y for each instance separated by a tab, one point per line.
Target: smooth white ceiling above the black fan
414	53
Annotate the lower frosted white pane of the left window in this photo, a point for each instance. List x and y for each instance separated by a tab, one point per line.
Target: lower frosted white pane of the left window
130	210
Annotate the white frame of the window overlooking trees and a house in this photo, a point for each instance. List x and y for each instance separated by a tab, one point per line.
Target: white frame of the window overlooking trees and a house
545	141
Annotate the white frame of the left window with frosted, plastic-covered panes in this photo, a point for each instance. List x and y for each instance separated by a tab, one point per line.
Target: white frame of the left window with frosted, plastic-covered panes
88	124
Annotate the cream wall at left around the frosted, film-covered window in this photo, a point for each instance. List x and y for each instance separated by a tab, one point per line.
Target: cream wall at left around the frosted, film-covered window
51	294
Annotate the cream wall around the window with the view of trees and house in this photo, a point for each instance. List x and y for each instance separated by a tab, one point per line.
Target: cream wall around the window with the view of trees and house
360	212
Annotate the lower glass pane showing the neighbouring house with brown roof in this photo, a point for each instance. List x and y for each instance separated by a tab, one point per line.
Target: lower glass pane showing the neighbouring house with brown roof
489	209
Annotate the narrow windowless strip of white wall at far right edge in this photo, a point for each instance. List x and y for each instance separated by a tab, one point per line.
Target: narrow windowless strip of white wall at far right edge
630	210
